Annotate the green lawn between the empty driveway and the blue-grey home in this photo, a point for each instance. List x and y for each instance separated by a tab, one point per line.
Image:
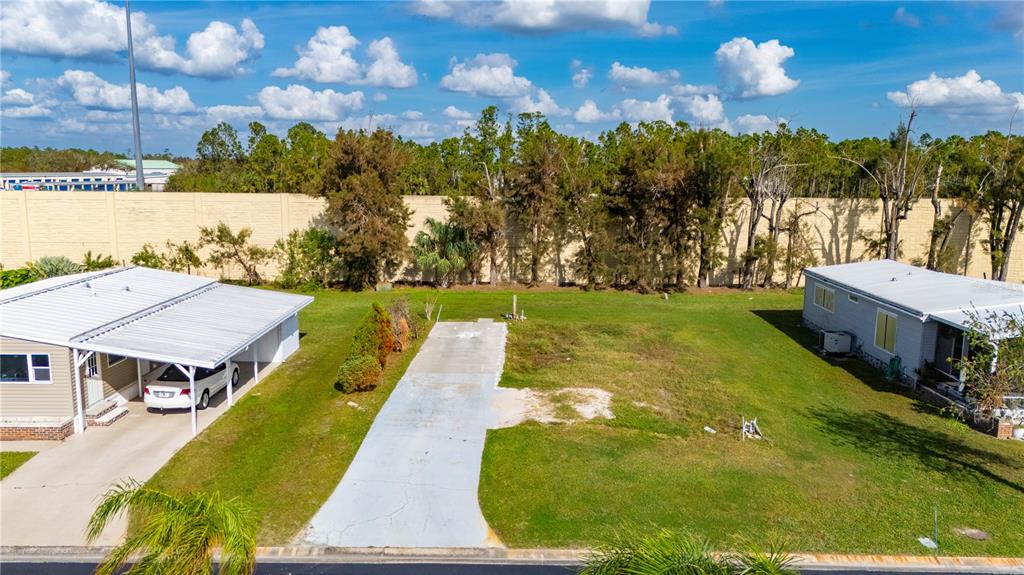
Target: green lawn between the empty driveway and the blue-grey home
850	465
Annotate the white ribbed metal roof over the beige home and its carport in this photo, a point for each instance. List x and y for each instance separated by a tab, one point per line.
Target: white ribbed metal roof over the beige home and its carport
143	313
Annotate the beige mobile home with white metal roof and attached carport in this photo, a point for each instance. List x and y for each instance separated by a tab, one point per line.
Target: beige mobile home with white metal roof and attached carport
74	349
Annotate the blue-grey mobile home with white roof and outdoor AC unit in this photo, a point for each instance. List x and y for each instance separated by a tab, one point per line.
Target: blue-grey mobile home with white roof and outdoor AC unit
889	309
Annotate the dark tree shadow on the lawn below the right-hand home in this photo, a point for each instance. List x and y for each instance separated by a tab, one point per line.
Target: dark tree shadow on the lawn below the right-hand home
884	436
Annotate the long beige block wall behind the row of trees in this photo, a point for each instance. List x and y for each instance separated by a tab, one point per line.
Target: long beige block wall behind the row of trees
50	224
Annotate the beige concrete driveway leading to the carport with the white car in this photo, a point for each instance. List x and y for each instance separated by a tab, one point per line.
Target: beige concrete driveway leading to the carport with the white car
49	501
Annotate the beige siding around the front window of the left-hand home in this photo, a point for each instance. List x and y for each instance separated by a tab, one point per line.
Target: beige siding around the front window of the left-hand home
26	403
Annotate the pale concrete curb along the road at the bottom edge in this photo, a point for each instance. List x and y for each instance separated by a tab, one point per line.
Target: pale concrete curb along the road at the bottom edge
311	554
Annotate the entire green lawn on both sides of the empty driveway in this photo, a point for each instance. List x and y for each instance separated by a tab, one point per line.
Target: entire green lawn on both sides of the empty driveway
851	465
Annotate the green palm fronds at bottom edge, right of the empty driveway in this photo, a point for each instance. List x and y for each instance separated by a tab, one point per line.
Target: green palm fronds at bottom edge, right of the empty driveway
665	552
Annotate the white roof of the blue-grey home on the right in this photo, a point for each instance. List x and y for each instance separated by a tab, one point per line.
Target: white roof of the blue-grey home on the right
928	295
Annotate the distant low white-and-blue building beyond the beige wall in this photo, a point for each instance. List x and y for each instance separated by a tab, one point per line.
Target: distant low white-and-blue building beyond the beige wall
119	179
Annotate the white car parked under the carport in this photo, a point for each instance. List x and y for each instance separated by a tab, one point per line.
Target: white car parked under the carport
167	388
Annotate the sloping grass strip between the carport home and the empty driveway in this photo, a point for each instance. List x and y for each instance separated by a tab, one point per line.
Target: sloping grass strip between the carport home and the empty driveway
285	446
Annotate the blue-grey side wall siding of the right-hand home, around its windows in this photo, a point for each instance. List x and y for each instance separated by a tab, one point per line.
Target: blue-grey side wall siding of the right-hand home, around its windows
859	319
